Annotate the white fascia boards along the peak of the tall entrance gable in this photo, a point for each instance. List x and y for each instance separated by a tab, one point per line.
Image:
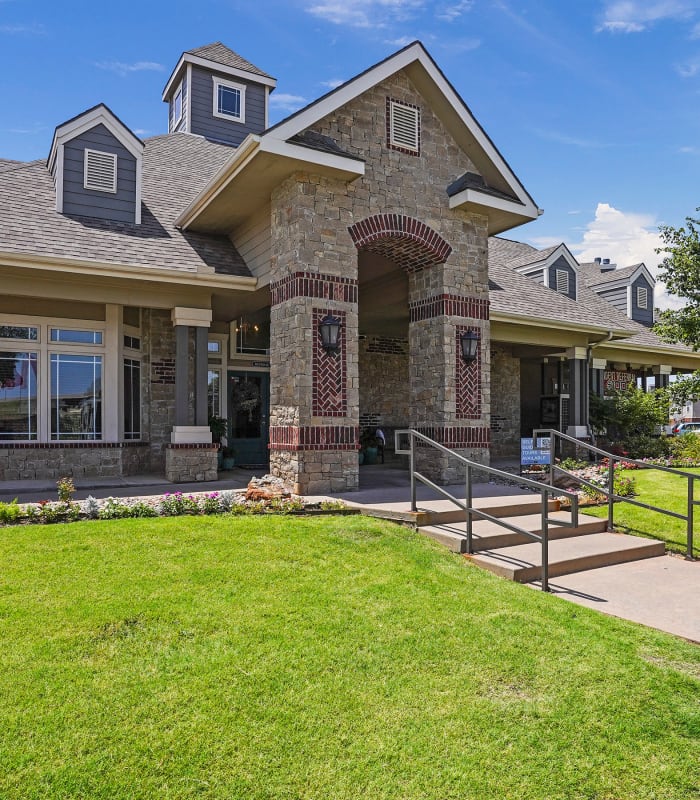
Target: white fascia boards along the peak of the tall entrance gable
415	52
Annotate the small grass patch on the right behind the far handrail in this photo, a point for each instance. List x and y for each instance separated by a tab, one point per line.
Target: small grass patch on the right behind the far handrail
659	489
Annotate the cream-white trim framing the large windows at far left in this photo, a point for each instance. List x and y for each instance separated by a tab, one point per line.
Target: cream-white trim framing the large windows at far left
44	349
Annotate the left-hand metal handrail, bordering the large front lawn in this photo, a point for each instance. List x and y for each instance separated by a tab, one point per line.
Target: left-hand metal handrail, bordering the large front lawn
543	489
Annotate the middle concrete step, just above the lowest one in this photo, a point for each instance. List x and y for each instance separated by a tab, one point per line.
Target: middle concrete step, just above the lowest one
487	535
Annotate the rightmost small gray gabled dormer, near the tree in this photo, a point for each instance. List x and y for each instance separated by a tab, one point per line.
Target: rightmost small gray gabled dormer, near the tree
630	290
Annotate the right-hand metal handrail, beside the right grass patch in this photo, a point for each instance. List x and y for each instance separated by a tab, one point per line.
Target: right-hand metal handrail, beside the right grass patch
550	434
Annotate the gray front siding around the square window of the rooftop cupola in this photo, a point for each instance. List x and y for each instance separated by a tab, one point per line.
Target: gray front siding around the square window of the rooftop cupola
204	122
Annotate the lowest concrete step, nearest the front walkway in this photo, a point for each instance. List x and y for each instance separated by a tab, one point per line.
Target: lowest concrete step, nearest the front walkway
523	563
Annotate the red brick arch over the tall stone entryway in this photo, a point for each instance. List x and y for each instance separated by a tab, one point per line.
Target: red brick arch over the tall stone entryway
407	241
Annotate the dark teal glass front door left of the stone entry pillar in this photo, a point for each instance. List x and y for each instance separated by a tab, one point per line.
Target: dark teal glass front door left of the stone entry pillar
249	414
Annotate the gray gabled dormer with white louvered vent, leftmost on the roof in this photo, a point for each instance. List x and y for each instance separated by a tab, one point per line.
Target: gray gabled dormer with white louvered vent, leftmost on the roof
96	165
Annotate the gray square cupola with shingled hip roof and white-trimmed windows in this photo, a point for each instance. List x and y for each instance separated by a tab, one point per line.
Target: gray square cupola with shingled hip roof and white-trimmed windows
215	93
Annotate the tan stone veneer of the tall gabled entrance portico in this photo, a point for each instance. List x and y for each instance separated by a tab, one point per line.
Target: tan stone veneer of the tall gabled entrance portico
314	265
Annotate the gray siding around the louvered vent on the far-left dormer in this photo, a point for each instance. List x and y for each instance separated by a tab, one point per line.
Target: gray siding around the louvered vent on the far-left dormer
77	200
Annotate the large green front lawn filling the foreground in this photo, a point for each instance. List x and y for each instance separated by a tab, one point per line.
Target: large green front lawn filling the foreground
320	658
